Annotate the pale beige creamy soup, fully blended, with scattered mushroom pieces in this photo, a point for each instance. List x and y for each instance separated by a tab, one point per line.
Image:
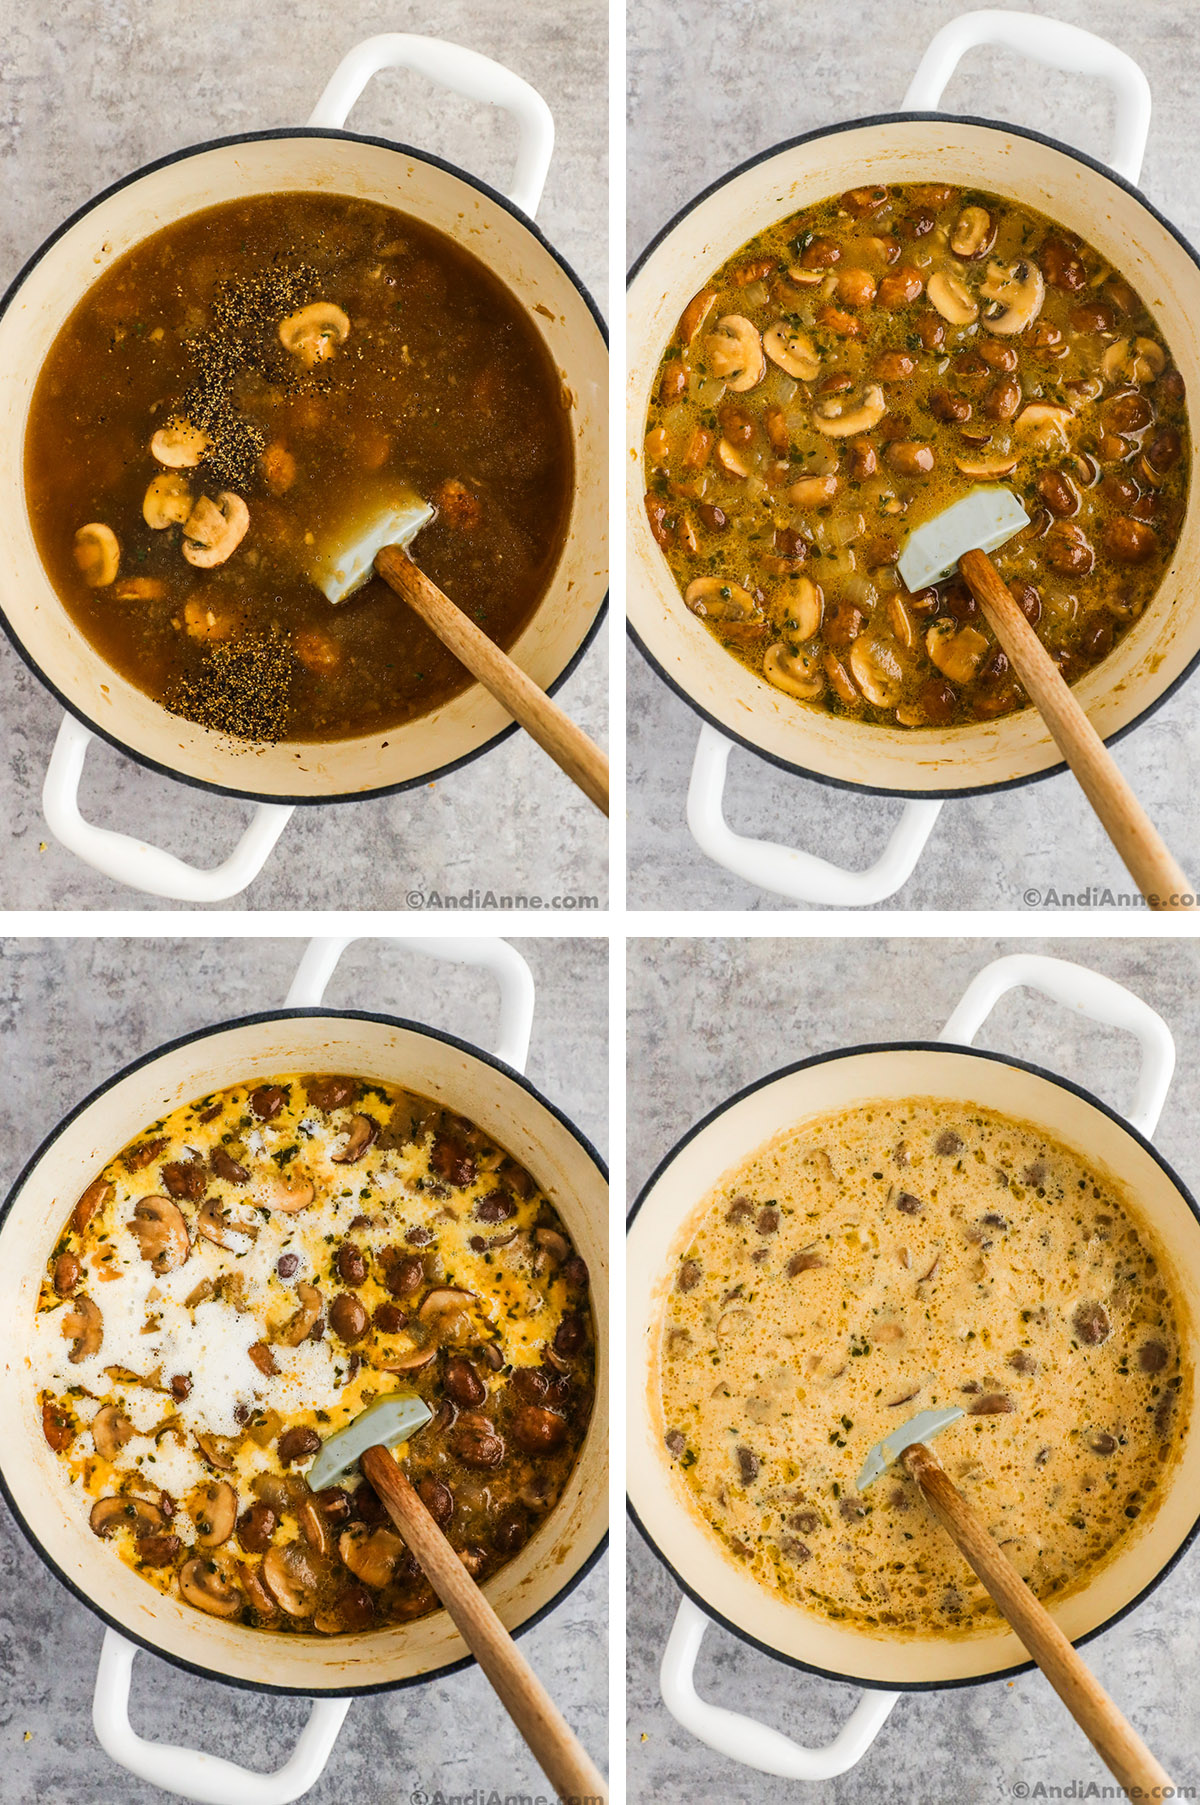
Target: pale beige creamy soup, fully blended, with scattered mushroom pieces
909	1255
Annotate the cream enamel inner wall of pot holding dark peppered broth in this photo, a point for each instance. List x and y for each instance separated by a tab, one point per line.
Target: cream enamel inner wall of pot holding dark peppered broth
320	163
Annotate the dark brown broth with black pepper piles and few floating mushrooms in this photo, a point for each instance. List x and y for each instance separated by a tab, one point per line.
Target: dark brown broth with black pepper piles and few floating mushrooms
243	384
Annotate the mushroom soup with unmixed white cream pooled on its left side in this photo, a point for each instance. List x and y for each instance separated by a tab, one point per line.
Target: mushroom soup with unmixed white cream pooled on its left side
254	1272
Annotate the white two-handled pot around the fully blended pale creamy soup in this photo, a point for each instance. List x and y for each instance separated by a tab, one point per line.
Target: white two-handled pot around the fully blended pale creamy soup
714	1587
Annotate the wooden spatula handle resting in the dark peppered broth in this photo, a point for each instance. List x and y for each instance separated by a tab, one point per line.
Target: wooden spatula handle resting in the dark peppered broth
555	732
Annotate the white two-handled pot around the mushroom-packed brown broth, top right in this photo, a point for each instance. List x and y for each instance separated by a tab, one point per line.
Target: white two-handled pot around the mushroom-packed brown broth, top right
1103	207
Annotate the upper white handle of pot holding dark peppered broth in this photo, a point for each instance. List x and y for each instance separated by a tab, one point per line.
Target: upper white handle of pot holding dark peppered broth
466	73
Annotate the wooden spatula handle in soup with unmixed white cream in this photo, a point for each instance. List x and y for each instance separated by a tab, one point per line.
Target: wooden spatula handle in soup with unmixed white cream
560	1754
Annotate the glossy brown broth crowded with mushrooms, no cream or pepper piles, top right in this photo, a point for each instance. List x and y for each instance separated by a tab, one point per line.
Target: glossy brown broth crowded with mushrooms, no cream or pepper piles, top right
860	367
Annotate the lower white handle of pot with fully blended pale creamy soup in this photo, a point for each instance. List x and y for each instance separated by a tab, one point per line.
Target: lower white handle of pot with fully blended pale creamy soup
744	1739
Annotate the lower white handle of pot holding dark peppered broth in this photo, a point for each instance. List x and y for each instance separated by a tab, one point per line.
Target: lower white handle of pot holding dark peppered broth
136	862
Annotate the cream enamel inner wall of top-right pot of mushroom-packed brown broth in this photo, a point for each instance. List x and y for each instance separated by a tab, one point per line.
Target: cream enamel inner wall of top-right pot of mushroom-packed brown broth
1029	171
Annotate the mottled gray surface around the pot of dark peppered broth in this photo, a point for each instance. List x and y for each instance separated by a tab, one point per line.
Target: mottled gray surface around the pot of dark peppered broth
89	91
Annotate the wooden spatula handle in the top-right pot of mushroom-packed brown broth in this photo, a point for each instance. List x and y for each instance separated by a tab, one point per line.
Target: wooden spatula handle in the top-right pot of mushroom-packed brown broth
1122	815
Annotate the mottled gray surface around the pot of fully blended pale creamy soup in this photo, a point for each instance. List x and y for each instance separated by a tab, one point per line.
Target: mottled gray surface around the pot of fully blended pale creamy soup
712	1017
